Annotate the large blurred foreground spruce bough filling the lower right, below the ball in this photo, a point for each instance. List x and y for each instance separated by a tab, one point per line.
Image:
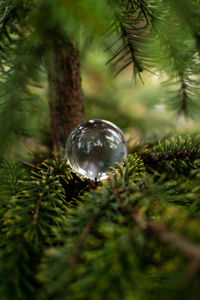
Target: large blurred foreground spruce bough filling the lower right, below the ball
112	250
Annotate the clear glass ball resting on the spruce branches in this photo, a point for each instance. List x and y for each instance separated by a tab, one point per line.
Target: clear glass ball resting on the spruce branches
93	147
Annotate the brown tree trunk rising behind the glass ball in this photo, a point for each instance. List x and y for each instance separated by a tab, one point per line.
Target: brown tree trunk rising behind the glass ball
66	98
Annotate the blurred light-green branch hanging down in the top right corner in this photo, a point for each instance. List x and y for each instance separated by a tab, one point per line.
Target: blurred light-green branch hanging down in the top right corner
174	50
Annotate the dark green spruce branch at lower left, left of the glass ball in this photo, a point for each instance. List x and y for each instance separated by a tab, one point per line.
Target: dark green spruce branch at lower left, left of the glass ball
29	223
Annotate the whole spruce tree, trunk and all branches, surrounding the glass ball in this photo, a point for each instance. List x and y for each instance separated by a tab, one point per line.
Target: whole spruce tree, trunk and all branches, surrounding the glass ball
136	234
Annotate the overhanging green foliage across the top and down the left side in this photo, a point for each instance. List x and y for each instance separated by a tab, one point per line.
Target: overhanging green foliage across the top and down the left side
141	34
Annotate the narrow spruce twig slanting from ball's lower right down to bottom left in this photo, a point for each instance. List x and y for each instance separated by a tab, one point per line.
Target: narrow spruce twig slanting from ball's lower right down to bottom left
82	222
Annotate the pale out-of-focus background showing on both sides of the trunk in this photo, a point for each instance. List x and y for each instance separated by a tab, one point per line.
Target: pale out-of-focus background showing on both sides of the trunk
141	109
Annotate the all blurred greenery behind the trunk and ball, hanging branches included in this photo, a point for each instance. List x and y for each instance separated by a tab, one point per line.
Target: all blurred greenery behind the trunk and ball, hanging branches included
159	36
